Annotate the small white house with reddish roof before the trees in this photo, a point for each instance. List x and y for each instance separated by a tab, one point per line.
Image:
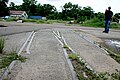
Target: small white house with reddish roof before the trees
18	14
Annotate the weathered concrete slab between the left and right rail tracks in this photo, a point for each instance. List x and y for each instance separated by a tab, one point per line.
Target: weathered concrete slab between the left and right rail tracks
46	61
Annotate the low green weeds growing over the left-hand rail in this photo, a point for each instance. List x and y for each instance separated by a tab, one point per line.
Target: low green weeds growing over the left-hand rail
7	59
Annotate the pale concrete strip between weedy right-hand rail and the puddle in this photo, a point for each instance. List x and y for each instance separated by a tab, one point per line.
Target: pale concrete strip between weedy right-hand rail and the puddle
93	55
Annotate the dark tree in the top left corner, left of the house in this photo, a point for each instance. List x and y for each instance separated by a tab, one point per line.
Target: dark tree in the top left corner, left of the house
3	8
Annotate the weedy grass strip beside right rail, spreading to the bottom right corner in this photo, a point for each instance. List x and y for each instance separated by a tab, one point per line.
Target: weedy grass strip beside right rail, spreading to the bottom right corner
84	73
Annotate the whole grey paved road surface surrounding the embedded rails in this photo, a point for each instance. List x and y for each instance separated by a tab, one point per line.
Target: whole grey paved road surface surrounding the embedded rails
46	60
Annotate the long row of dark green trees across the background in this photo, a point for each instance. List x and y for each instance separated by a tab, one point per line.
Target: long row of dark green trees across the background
69	11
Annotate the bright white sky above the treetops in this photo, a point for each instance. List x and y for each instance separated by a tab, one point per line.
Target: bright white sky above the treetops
97	5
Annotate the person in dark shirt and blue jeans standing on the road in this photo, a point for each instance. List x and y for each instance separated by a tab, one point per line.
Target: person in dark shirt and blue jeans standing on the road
107	19
